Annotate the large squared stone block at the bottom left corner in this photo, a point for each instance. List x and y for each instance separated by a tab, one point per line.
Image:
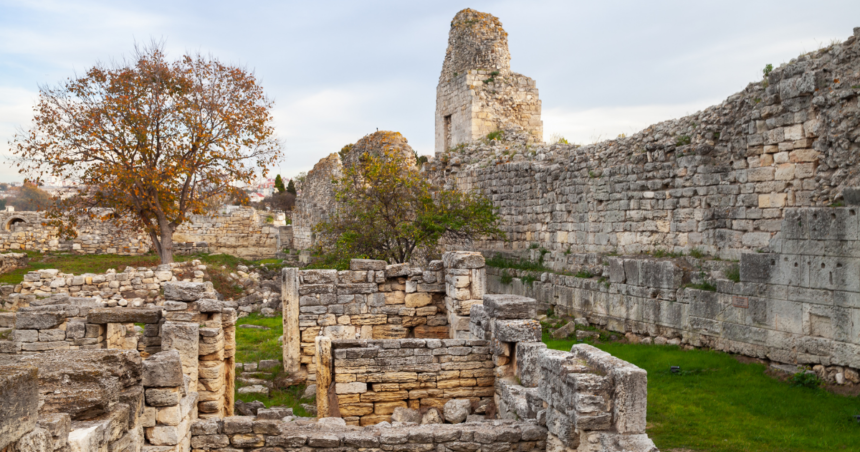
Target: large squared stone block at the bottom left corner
19	402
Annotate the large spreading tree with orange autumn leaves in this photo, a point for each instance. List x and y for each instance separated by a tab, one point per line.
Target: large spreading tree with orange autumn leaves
152	140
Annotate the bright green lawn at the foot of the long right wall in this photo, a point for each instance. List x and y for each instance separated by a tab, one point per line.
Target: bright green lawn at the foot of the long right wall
720	404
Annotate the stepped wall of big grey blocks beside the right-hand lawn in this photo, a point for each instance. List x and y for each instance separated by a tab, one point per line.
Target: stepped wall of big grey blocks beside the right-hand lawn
588	399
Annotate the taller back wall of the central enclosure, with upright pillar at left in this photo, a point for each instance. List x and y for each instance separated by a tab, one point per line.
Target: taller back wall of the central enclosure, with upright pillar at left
373	300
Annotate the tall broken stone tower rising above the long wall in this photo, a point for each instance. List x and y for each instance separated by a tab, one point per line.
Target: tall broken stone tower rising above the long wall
477	92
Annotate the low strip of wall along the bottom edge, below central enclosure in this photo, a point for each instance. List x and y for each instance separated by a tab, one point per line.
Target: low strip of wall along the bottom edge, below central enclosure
263	433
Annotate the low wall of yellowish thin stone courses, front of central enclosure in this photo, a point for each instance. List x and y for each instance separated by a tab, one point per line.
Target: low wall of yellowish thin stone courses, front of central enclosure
373	378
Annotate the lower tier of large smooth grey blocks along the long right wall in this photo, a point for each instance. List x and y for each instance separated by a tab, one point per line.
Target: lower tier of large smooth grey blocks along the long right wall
799	303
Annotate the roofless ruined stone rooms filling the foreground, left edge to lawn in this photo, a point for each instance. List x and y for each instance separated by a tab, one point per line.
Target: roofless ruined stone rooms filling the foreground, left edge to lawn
91	381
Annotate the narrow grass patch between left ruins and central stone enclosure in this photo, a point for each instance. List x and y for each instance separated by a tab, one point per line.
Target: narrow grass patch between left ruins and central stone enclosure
253	345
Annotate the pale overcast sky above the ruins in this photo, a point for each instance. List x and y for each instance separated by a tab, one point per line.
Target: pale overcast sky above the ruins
338	70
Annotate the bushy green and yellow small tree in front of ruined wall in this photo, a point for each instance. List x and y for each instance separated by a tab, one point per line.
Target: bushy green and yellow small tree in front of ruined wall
387	210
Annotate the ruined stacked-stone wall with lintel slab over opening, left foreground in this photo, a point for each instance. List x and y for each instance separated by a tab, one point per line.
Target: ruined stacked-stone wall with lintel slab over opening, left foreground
188	346
